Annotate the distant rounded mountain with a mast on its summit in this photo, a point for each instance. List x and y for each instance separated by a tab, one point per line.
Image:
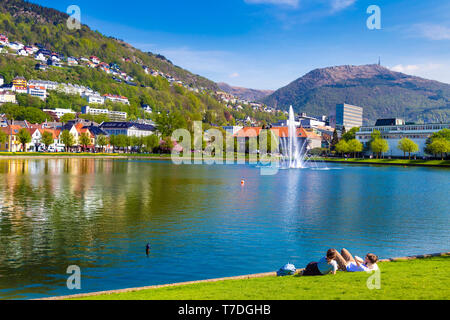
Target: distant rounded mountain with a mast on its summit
380	91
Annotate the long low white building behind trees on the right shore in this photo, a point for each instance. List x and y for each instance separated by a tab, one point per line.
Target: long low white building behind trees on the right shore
418	133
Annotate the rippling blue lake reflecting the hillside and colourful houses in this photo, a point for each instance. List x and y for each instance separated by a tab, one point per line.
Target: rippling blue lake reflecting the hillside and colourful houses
201	223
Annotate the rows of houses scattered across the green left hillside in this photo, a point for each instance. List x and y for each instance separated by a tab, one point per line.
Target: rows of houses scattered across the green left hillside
47	58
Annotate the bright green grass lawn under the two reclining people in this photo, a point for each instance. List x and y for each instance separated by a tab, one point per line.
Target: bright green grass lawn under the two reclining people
413	279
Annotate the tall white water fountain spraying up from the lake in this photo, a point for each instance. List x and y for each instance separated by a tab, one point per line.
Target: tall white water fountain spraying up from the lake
294	155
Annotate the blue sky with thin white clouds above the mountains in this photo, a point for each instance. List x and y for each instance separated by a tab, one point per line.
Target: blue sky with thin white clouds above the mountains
266	44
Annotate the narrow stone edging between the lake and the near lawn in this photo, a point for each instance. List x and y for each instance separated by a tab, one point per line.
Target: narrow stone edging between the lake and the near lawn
242	277
